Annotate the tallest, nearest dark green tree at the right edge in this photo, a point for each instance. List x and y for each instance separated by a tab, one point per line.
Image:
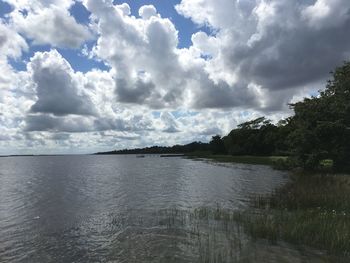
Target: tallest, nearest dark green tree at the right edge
322	124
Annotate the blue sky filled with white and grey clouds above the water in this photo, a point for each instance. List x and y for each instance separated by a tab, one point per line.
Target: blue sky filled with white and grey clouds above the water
96	75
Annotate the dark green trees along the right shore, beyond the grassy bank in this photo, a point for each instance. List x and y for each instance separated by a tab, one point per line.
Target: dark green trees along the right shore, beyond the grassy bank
319	130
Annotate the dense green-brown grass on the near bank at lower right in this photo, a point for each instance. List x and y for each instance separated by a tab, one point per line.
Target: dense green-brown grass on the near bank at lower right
311	210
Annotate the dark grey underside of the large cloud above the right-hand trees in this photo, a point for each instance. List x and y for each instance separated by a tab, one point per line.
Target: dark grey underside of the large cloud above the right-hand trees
300	56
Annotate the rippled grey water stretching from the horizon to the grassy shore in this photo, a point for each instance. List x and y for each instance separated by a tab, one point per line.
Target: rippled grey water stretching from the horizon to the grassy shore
125	209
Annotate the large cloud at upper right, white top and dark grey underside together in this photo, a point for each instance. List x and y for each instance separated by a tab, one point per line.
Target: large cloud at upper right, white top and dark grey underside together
289	51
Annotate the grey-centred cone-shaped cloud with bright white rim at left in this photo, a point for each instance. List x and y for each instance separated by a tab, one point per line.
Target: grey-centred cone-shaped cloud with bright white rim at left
56	87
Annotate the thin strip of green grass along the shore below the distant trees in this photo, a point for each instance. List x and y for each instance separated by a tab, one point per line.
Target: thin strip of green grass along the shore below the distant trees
263	160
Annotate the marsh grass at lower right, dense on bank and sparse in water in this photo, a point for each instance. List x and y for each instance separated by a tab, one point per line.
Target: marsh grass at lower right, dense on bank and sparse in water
310	210
